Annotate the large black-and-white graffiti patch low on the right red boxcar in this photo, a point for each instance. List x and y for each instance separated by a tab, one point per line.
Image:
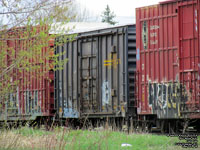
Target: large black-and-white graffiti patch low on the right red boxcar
165	98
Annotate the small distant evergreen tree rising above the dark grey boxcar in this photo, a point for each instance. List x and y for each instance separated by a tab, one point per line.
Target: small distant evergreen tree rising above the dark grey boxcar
108	16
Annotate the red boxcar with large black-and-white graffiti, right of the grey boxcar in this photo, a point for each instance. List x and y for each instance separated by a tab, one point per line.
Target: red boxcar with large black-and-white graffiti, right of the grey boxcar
168	59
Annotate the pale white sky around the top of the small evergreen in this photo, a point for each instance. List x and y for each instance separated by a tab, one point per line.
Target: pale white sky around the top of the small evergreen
124	9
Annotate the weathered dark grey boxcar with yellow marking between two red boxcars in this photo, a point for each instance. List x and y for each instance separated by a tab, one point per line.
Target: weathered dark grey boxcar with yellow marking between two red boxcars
98	79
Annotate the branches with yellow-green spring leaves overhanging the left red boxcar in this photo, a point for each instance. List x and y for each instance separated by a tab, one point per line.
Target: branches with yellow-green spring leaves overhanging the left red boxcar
24	42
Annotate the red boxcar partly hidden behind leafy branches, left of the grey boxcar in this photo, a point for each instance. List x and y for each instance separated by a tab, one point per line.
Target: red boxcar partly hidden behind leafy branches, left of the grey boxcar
34	95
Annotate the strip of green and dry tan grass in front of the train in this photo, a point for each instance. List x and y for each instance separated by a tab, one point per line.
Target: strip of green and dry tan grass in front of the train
62	138
